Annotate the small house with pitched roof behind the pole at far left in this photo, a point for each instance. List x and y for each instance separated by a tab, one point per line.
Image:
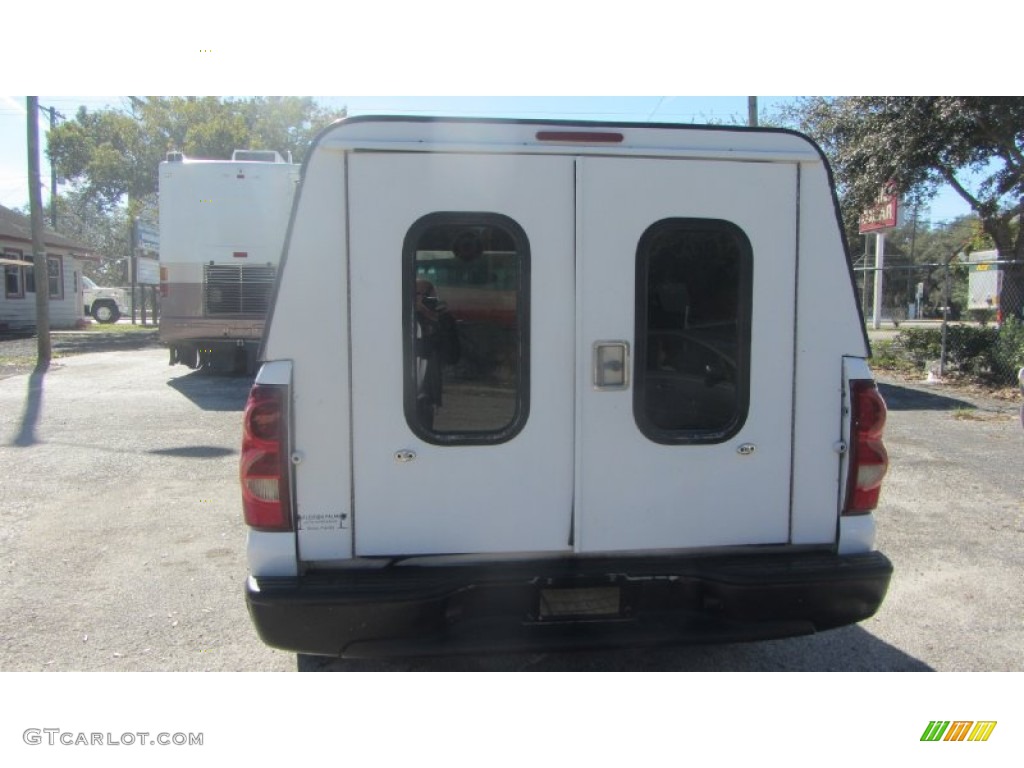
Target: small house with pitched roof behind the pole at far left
18	302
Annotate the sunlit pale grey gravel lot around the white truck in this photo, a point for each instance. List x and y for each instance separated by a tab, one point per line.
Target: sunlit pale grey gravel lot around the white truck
122	544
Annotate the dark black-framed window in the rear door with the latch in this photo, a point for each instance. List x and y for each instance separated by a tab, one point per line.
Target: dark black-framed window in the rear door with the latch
694	281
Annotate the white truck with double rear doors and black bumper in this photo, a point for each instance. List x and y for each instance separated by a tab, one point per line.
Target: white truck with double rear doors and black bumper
545	386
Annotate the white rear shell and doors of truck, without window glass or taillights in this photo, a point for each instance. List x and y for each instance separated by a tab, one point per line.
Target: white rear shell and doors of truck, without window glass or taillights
579	476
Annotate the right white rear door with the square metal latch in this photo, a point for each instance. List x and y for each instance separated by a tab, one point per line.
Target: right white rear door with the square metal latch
686	296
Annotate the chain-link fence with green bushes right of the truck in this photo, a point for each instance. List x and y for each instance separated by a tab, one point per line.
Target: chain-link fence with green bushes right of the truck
962	319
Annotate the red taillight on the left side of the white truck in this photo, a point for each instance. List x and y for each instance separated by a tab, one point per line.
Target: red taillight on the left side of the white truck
266	496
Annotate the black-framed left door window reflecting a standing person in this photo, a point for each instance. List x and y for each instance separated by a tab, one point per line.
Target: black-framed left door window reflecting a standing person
466	327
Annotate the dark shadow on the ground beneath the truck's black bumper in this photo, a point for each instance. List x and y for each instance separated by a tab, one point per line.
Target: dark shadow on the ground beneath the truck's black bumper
846	650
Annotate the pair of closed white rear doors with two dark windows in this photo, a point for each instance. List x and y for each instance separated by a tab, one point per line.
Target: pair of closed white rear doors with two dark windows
557	354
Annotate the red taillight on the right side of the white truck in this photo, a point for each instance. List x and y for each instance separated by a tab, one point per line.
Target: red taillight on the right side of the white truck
869	459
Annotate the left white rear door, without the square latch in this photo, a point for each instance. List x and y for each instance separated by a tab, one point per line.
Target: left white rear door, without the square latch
463	352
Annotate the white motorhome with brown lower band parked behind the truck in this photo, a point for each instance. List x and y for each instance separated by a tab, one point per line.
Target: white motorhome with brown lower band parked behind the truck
223	228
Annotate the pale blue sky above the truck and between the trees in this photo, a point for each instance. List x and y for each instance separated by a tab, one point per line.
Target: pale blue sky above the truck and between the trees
731	110
